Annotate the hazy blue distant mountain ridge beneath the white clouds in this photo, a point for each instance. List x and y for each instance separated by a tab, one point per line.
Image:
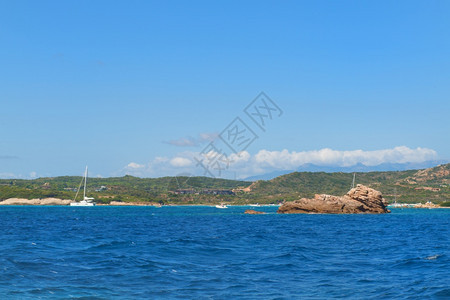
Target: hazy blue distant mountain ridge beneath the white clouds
356	168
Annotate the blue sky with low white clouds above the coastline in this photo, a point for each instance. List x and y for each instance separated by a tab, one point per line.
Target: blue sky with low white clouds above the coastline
122	86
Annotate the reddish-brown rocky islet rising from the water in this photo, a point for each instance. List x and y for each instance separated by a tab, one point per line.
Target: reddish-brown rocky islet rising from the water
359	200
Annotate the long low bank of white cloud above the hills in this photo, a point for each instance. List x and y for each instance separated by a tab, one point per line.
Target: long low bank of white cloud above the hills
244	164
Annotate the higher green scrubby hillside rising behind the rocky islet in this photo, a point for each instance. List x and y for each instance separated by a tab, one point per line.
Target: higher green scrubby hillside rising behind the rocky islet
409	186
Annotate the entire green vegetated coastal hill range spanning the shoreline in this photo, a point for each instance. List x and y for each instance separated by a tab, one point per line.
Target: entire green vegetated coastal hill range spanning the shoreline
406	186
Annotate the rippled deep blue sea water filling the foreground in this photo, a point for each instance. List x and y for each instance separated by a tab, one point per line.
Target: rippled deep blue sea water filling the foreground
207	253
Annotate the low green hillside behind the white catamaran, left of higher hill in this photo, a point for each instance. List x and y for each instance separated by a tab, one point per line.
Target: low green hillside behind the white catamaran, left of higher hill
127	188
